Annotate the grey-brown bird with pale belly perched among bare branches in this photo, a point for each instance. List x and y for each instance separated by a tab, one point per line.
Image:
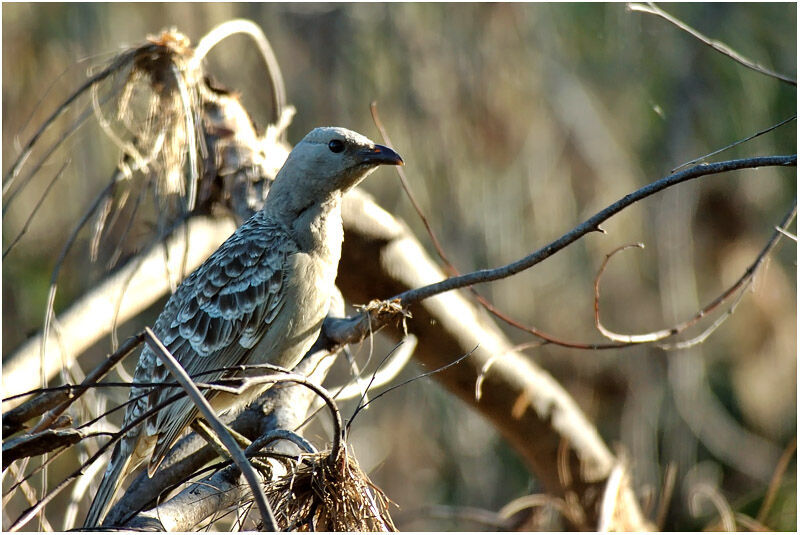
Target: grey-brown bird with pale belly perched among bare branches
260	298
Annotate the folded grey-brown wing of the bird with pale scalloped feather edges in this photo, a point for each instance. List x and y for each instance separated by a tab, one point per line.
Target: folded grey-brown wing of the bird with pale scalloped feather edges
215	317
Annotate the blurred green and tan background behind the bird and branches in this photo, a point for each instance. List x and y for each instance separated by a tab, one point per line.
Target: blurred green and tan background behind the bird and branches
516	122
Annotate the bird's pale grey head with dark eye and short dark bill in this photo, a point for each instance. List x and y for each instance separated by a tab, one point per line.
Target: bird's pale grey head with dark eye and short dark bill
330	160
